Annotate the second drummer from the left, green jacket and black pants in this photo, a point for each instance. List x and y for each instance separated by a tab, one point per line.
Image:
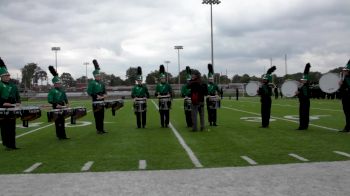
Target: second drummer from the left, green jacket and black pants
57	97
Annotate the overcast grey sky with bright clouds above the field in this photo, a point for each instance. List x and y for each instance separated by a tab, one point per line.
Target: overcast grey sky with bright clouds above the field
129	33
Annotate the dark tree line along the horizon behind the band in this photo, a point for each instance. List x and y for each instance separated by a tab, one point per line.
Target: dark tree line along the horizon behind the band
33	75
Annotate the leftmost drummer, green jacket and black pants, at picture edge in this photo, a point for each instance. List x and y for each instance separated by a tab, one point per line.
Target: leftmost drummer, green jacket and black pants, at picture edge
9	98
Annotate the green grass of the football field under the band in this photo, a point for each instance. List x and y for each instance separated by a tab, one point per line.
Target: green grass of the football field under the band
222	146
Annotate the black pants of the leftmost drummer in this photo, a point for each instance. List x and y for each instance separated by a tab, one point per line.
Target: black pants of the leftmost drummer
8	132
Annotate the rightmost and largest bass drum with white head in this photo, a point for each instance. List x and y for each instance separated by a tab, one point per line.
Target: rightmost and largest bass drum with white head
329	82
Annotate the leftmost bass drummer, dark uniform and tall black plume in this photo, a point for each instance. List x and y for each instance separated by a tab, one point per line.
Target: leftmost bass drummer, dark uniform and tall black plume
265	92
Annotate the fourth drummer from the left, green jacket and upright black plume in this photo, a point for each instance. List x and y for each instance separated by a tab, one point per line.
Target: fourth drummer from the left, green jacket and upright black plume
140	91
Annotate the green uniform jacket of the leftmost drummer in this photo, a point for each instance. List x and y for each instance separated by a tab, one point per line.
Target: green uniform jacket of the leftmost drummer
9	93
